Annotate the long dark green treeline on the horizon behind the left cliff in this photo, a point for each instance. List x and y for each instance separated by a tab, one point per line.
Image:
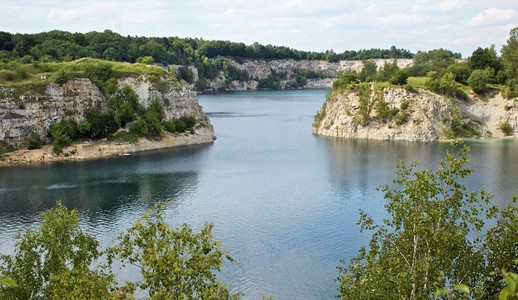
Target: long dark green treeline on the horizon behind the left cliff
59	45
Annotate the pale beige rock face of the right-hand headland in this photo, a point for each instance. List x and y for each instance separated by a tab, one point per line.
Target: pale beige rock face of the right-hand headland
411	115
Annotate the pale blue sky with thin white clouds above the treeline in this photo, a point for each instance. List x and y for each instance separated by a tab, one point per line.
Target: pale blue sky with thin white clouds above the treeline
309	25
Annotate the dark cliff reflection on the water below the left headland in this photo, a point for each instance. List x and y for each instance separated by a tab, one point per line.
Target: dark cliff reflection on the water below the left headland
108	191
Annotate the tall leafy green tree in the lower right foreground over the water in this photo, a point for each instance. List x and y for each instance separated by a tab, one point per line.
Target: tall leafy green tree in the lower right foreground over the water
430	215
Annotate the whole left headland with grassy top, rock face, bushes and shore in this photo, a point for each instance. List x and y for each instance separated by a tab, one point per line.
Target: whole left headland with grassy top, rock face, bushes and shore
103	103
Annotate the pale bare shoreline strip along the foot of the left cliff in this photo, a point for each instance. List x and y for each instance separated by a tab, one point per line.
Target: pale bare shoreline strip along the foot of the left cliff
102	149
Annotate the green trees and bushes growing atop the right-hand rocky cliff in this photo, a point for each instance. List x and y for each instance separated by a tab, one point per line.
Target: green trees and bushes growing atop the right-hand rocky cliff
446	74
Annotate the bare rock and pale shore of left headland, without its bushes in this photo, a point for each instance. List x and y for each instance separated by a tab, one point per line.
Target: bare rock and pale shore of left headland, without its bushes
29	111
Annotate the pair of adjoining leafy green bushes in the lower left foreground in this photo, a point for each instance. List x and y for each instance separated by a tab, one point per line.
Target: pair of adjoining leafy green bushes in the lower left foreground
58	260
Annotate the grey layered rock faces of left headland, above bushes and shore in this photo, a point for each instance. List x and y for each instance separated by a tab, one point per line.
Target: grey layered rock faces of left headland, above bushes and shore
22	114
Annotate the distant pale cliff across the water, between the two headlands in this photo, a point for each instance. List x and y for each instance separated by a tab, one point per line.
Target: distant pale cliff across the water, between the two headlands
280	73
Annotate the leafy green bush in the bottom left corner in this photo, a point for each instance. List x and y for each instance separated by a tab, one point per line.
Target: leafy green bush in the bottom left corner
54	261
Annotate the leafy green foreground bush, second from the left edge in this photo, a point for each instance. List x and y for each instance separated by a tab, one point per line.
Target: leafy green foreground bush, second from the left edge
174	263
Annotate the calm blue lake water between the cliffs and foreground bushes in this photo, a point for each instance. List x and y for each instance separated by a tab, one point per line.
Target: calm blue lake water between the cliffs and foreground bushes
283	201
